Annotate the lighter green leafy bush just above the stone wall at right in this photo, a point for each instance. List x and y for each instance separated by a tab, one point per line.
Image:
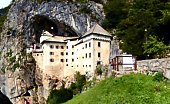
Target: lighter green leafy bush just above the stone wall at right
155	48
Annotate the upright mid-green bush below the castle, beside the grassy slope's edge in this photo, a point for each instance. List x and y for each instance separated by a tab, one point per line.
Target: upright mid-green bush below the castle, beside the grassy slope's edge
80	81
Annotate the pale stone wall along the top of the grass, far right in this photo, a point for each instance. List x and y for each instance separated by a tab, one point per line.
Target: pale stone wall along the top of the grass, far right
154	65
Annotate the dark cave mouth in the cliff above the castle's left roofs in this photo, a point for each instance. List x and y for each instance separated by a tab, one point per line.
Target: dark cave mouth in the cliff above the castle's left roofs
42	23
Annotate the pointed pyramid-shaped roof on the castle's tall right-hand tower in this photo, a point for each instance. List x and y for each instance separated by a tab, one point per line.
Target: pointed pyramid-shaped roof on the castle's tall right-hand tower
97	29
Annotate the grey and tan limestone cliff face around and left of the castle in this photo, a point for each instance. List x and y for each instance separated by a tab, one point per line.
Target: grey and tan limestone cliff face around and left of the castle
25	22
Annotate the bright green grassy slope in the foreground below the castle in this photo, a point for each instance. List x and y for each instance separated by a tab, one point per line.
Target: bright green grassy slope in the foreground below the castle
129	89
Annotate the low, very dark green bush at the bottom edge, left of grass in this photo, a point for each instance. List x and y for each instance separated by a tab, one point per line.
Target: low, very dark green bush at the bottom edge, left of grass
59	96
